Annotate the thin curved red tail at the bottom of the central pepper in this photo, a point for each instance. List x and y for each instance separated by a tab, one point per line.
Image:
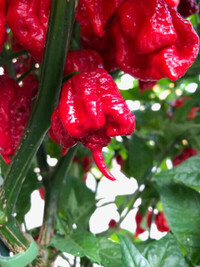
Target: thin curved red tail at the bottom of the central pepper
99	160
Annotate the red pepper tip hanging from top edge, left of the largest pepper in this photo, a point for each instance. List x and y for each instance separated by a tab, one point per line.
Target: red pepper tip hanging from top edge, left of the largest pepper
94	14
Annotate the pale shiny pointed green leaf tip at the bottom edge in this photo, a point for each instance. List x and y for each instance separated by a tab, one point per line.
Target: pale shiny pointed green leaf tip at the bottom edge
131	257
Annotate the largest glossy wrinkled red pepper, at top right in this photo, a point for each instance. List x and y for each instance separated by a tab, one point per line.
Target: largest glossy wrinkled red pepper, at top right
158	44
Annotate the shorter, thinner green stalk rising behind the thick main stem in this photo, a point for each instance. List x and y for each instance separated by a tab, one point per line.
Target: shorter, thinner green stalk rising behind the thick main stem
52	197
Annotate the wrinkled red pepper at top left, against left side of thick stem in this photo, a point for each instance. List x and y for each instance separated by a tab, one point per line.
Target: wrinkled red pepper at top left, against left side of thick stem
28	21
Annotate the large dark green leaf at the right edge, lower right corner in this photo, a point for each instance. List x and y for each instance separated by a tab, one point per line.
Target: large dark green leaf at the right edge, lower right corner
181	206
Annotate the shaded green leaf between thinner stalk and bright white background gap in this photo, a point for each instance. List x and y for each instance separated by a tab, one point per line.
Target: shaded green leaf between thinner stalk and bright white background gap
77	203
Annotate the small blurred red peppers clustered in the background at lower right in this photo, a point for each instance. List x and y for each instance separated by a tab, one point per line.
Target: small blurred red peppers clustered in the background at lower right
159	220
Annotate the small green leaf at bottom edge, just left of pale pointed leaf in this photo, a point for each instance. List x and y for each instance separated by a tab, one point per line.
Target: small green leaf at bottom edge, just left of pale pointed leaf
110	253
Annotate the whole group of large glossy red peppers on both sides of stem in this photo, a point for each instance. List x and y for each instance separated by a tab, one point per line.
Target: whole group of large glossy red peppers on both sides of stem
157	44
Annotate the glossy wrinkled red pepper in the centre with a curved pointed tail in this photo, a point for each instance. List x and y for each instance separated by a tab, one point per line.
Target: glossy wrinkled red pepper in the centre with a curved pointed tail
91	111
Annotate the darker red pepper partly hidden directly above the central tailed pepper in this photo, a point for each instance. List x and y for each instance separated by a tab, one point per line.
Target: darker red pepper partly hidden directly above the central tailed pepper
82	60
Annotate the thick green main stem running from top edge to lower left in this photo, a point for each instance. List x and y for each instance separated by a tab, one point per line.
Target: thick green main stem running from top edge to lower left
57	42
